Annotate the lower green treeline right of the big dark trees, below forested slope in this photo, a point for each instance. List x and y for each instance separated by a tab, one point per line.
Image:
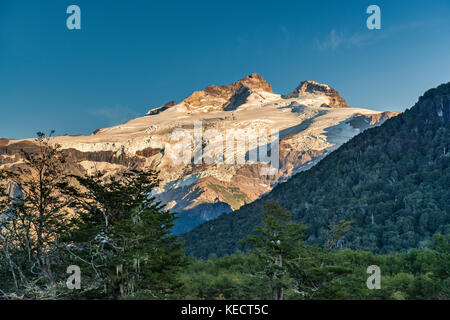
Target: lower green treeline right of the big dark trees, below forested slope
281	265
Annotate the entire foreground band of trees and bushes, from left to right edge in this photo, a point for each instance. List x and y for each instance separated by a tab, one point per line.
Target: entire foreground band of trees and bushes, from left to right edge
121	241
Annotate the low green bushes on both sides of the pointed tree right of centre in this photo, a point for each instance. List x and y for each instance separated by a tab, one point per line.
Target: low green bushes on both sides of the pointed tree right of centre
418	274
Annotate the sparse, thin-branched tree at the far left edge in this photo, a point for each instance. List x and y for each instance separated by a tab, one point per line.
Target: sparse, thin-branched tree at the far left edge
34	213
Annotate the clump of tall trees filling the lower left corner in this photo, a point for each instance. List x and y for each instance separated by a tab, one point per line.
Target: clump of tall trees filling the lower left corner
109	226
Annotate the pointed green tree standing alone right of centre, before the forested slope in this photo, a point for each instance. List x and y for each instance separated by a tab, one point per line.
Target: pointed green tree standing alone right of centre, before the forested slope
288	262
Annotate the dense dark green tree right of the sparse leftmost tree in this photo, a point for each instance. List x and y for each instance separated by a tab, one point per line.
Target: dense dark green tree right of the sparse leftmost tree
122	236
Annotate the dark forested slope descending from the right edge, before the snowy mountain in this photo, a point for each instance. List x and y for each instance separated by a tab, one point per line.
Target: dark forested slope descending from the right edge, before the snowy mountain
392	181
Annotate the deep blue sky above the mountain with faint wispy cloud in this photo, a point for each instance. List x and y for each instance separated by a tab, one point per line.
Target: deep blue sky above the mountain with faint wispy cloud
133	55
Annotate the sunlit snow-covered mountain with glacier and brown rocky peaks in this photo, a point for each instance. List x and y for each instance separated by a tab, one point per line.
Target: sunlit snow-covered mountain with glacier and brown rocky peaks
312	121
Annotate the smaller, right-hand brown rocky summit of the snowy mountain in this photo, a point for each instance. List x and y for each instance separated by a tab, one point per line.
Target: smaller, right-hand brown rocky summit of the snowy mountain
314	88
